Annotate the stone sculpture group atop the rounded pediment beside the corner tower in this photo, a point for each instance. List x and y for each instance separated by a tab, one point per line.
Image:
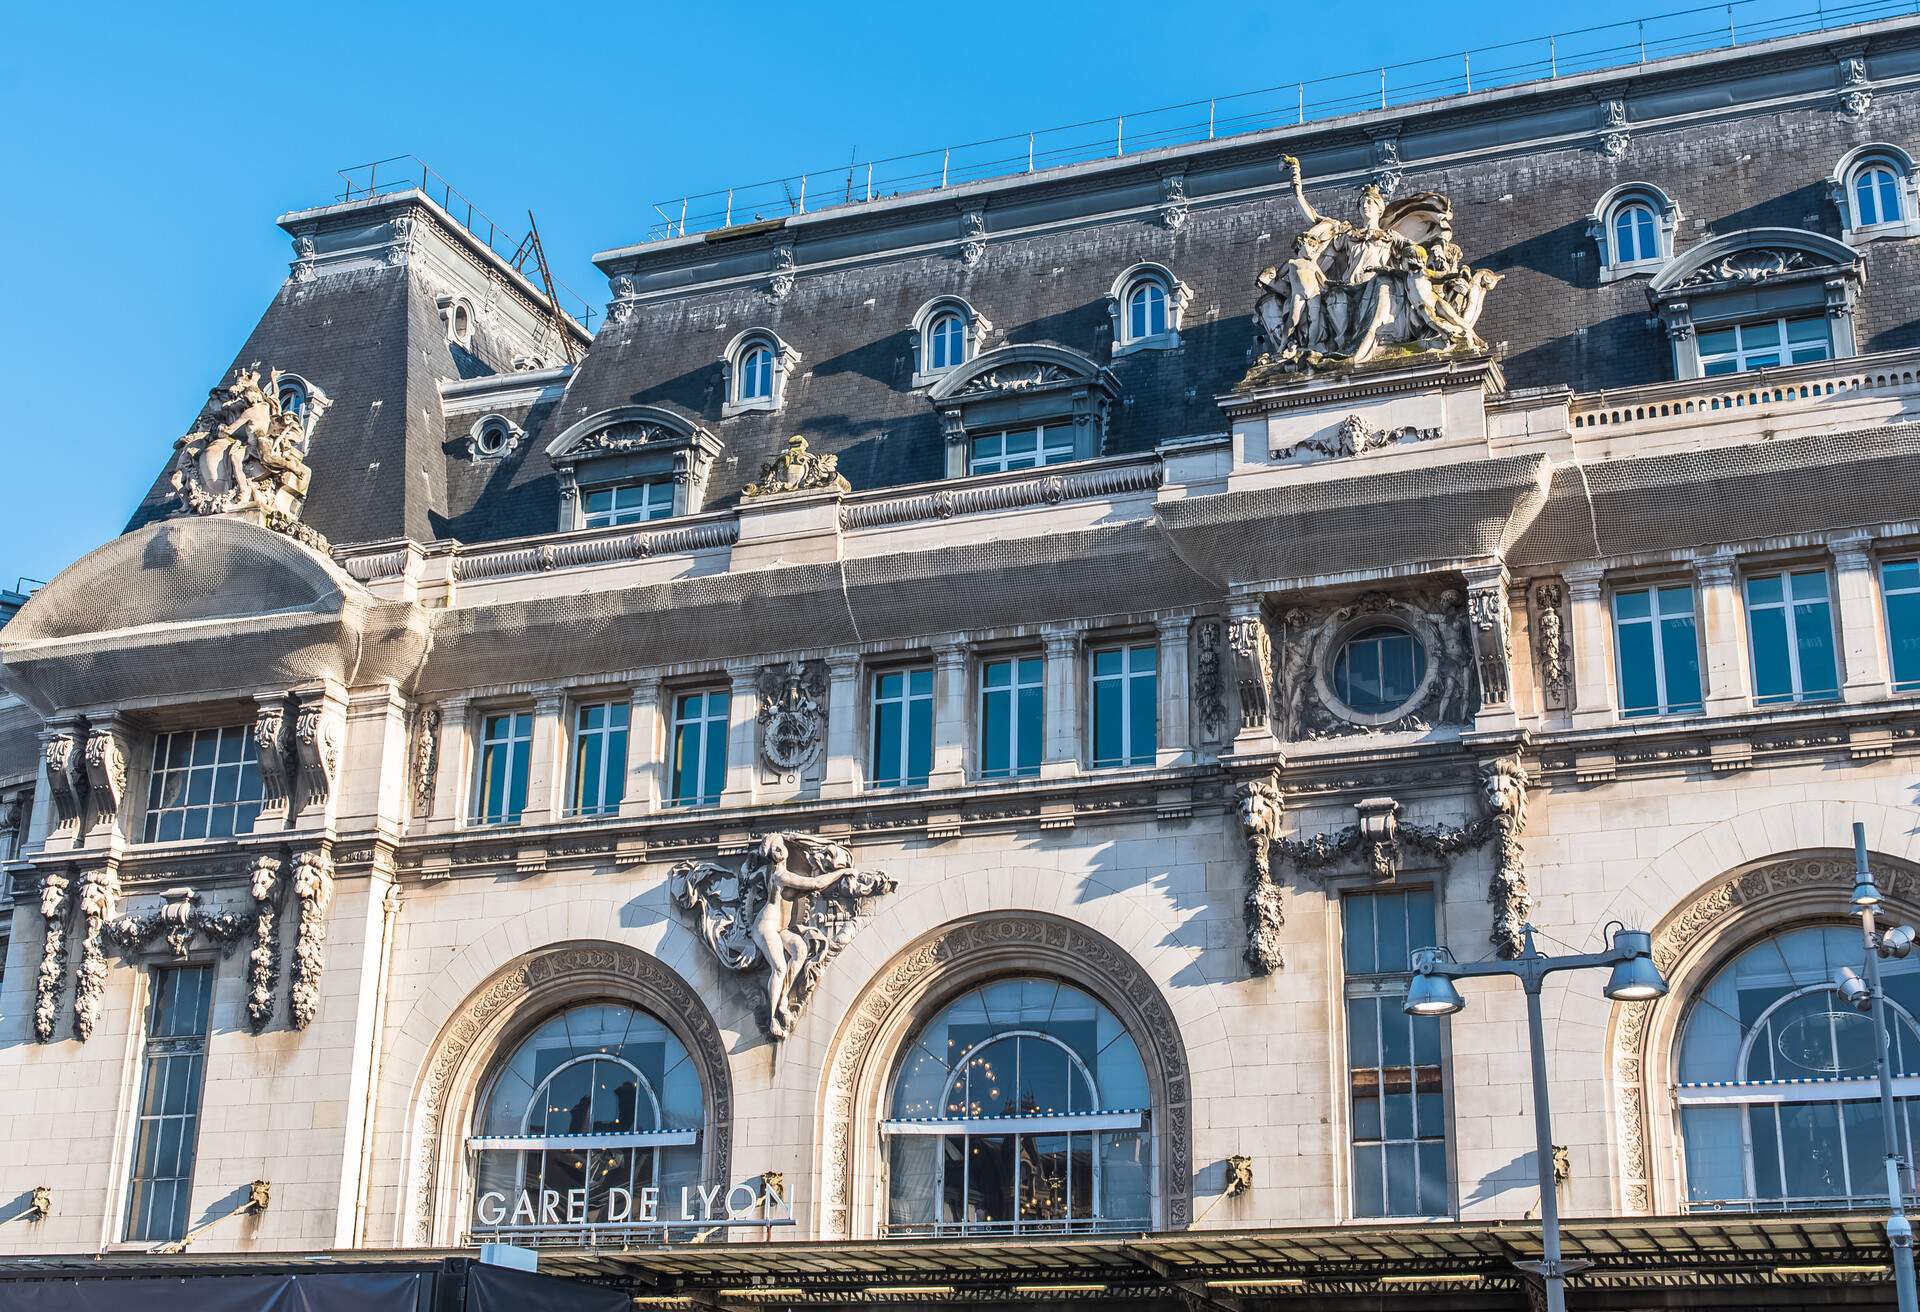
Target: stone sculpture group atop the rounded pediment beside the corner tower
247	452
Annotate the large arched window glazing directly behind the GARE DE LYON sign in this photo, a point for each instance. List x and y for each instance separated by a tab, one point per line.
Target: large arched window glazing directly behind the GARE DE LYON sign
596	1105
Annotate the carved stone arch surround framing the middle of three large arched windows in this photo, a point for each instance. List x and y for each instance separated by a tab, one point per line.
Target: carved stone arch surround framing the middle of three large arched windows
978	950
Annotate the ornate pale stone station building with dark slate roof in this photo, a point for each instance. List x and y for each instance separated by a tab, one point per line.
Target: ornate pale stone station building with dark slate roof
946	719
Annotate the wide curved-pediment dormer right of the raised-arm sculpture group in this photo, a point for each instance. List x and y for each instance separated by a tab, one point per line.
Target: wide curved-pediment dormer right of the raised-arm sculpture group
1764	299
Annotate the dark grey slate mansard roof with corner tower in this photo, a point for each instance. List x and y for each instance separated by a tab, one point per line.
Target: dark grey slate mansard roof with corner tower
1739	139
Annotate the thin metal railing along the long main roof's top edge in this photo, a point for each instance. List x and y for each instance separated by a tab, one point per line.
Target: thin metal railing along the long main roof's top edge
1487	68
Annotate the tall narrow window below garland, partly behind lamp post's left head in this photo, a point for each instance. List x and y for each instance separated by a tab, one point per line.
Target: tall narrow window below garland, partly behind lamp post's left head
1395	1075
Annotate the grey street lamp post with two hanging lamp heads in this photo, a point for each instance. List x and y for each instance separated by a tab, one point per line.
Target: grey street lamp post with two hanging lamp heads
1635	981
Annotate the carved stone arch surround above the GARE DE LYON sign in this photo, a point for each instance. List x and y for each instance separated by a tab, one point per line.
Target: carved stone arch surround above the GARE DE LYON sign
629	975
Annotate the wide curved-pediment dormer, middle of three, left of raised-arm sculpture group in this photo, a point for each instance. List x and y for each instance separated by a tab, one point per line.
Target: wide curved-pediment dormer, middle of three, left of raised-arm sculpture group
1022	408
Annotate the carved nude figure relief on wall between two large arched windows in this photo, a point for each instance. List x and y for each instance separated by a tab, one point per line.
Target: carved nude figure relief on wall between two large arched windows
786	911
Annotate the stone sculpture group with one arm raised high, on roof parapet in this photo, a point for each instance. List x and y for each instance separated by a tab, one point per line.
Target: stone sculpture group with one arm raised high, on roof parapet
1355	291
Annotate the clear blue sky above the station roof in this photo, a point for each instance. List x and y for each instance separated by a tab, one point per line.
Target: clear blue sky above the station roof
145	153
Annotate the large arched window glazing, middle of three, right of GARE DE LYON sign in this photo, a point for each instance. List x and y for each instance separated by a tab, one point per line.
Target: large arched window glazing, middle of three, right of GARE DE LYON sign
1019	1109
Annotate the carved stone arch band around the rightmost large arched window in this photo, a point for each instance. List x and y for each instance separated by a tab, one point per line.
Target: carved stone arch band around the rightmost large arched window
1671	946
